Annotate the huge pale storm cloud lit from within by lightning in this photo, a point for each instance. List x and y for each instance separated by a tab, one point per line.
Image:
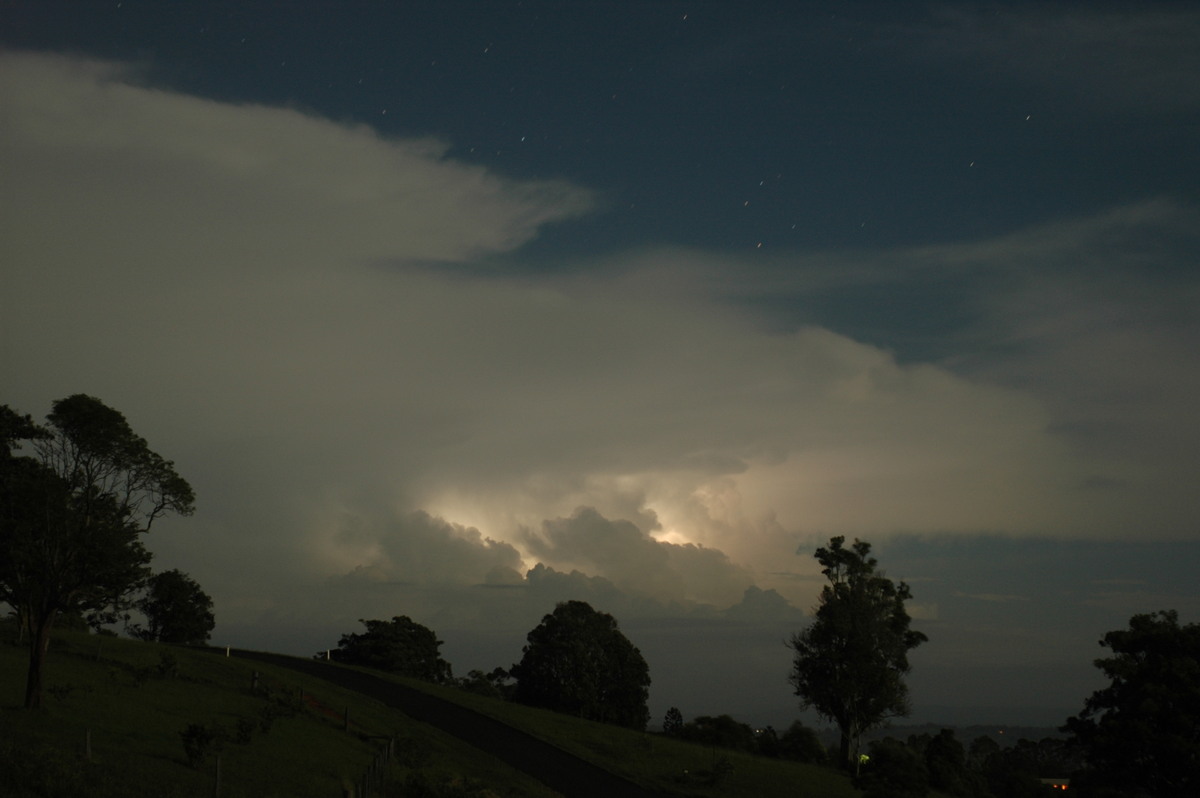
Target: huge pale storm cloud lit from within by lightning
239	281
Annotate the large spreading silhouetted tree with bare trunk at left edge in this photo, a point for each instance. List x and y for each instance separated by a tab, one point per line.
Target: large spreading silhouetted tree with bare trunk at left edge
71	518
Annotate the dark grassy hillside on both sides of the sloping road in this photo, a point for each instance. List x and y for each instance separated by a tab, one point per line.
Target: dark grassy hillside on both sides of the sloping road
284	734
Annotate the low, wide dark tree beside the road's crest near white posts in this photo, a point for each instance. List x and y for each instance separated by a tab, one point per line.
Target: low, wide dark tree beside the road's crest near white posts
399	646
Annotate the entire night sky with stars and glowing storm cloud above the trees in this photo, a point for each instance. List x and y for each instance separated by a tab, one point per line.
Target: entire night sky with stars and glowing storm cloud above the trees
457	310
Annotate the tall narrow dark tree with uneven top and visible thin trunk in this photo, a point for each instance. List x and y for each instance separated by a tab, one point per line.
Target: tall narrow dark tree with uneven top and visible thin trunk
850	663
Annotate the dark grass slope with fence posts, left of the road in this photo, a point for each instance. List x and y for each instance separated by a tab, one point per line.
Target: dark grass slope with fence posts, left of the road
279	735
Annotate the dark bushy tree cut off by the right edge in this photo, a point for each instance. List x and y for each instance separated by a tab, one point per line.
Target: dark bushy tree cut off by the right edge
1142	734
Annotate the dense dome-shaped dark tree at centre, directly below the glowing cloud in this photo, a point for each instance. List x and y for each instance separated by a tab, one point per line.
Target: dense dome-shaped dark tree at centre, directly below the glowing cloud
578	662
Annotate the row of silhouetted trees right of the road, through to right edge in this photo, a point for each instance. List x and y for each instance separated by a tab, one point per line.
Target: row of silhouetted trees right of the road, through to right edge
1138	737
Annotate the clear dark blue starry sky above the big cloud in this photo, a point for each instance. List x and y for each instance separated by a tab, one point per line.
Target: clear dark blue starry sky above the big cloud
842	124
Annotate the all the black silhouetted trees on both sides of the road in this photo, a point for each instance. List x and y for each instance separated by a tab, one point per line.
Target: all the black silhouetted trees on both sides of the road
74	513
